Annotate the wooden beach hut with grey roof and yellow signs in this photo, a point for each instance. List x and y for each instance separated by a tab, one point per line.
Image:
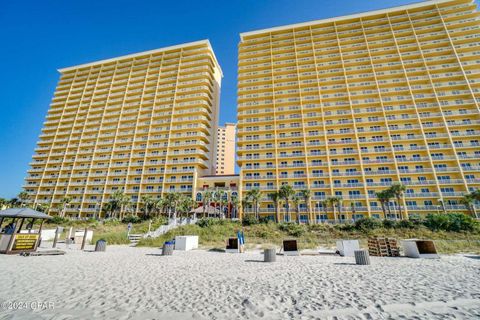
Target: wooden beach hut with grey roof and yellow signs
16	230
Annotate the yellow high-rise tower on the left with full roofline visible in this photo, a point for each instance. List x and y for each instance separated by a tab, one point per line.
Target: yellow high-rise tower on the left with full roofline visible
143	124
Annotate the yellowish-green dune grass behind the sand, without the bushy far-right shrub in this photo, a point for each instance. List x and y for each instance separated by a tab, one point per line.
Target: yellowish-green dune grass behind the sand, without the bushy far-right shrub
215	233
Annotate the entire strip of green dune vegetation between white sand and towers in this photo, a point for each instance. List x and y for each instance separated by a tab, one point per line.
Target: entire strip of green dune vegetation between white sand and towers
453	233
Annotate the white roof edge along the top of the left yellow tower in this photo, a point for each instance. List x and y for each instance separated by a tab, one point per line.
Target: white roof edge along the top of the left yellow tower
143	53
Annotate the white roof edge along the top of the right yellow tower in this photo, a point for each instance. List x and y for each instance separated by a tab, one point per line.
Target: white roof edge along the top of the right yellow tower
345	17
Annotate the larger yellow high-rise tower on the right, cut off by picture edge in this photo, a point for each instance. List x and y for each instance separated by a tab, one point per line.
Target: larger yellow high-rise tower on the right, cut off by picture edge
349	105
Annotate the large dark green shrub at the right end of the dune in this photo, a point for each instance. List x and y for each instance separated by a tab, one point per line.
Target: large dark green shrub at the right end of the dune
455	222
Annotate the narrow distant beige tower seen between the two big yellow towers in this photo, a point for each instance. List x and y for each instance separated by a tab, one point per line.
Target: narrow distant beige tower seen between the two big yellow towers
226	149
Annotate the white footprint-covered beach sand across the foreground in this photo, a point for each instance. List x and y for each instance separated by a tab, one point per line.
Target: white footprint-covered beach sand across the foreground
138	283
